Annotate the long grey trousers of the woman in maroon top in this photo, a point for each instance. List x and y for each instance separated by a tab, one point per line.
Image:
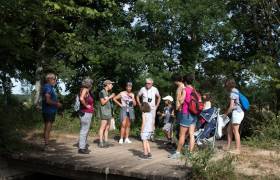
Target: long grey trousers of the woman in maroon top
85	125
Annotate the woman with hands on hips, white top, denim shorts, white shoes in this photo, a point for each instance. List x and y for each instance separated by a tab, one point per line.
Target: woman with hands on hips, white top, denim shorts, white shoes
127	115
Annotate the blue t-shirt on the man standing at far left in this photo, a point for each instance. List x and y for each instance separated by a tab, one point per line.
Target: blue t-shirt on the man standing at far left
47	108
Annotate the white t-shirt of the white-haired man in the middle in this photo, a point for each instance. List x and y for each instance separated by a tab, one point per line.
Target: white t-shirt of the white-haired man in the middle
149	95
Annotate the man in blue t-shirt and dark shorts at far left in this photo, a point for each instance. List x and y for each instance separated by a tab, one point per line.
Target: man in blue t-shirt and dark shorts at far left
50	105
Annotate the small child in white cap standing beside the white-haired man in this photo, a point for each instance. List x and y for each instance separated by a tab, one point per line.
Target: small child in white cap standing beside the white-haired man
168	115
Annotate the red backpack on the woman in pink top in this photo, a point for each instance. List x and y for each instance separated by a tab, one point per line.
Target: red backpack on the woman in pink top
196	105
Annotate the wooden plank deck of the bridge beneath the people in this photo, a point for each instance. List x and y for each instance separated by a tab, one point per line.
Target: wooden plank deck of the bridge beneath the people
121	160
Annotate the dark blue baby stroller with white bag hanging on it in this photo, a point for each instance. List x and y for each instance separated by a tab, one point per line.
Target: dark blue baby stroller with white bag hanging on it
212	127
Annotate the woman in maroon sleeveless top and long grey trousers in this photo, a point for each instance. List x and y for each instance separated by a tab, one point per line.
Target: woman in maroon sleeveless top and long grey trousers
85	114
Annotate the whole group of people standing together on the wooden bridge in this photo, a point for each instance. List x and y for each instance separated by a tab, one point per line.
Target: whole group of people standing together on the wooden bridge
148	99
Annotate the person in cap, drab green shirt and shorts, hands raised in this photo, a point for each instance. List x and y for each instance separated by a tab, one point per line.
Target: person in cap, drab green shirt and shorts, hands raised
106	112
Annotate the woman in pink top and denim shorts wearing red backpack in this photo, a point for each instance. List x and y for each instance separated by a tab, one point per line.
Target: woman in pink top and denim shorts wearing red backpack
189	116
